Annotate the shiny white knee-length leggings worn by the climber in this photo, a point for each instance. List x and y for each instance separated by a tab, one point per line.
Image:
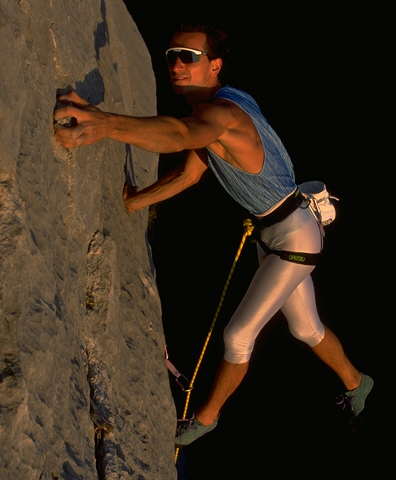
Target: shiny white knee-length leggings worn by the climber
279	285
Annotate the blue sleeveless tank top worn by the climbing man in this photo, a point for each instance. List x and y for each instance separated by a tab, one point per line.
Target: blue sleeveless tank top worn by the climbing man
257	192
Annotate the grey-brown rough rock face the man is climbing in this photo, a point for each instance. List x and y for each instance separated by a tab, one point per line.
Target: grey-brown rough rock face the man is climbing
84	392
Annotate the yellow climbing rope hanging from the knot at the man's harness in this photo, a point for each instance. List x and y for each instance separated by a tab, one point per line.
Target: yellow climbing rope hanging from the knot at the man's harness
248	231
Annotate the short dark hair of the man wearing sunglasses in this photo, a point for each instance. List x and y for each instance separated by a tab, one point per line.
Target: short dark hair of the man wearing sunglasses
216	37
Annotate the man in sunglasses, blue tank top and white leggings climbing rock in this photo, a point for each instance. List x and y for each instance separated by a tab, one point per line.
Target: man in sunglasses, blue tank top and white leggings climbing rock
227	132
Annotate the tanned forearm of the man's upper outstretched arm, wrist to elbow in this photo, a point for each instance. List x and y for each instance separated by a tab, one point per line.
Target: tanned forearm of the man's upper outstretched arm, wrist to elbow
156	134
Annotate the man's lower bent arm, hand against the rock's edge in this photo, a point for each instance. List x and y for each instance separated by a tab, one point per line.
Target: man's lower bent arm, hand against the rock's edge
170	184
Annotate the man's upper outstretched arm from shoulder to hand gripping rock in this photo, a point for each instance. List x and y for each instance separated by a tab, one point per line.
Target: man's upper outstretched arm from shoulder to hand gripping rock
160	134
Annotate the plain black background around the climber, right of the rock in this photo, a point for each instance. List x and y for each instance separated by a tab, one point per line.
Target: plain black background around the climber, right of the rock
311	72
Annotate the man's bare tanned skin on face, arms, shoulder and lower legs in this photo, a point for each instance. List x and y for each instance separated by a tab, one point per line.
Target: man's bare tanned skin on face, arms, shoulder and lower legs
215	124
